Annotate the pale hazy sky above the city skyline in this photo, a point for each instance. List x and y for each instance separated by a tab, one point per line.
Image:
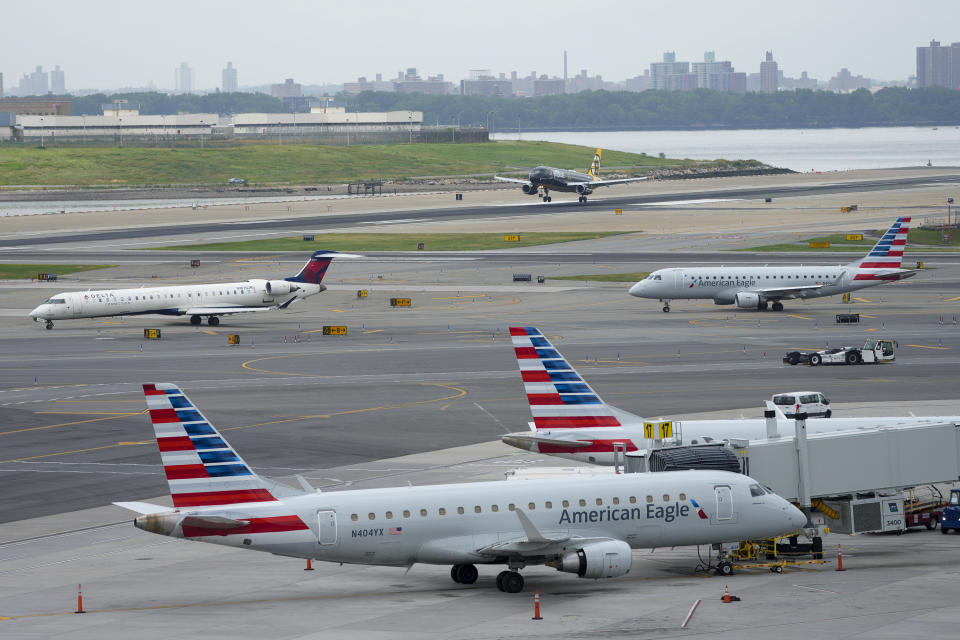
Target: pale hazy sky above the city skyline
112	44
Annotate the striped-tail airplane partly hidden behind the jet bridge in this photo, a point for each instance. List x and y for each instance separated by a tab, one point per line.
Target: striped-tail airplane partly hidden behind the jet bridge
571	421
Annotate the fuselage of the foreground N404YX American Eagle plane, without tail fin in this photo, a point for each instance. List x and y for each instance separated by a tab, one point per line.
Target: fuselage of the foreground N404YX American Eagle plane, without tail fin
446	524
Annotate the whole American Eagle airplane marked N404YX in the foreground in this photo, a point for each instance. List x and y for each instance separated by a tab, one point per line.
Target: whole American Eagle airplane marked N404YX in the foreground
585	526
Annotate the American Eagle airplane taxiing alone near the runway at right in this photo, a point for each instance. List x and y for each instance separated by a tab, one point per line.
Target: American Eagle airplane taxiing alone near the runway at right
756	287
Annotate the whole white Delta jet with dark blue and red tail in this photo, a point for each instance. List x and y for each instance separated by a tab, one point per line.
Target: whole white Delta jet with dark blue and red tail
193	300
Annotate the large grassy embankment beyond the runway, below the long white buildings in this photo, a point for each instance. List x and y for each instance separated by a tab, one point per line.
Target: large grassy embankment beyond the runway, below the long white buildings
294	164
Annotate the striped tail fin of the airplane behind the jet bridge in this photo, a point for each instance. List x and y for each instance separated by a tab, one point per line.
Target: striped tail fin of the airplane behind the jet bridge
559	398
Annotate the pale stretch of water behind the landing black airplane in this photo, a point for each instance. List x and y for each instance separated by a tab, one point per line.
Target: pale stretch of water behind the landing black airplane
797	149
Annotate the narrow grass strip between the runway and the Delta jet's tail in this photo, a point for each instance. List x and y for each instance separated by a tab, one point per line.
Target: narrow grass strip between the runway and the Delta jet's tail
397	242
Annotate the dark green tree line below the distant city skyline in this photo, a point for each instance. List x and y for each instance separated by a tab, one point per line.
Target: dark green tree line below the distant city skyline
610	110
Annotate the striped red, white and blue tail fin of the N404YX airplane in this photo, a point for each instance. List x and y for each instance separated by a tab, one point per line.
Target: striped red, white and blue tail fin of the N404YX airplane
202	468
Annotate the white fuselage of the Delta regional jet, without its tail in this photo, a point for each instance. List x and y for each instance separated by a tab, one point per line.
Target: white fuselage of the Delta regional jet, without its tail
173	300
